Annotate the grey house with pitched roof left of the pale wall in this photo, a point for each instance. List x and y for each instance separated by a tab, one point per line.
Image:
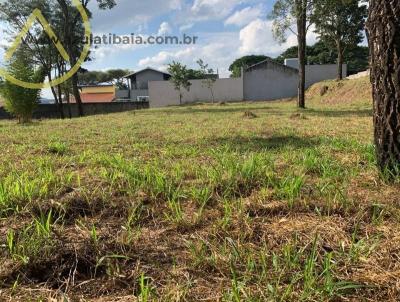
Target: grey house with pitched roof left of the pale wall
138	84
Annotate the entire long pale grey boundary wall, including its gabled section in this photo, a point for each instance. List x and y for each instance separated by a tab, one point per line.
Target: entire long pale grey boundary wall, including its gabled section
263	82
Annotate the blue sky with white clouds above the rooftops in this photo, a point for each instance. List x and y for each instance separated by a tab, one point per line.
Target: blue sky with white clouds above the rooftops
226	30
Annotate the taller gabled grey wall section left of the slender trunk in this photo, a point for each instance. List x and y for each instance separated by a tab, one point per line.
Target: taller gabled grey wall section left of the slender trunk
269	81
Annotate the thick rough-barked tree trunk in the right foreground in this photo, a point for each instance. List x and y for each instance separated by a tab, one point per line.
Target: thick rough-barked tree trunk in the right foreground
383	29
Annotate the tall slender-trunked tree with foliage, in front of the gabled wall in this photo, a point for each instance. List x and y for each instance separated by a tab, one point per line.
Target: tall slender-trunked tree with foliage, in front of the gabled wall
285	14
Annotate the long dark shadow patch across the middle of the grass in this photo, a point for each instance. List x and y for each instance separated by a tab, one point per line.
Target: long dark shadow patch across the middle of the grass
258	144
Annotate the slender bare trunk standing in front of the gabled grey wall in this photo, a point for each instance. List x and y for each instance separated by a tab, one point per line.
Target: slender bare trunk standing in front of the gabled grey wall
302	44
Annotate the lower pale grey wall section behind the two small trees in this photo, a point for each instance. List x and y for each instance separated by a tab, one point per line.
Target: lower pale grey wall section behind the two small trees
162	93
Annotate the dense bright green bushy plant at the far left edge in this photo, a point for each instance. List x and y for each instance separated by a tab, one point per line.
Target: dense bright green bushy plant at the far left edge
19	101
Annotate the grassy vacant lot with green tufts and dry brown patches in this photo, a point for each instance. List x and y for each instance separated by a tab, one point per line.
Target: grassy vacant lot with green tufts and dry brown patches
201	203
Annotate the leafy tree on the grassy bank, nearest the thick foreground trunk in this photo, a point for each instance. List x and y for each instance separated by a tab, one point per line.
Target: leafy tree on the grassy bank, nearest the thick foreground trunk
339	24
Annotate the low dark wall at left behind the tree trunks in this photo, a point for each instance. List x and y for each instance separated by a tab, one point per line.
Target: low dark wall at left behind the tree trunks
51	110
